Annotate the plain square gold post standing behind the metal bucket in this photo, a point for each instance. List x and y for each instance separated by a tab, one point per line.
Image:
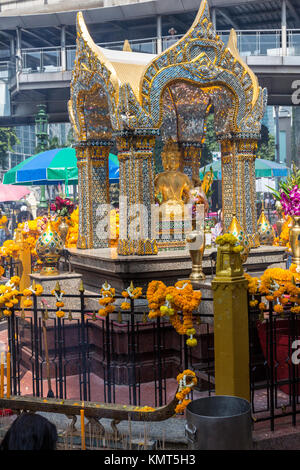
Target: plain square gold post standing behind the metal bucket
231	334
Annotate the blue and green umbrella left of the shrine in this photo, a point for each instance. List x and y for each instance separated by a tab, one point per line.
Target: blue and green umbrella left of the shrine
52	167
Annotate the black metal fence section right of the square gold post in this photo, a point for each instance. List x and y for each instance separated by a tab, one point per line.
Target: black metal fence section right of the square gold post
274	373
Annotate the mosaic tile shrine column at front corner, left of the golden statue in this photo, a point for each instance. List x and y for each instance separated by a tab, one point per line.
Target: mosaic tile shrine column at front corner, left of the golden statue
136	193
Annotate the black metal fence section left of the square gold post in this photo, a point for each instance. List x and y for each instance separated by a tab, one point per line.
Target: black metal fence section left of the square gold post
122	358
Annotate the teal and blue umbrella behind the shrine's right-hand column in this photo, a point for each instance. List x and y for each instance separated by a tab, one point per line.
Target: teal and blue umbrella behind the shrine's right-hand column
263	169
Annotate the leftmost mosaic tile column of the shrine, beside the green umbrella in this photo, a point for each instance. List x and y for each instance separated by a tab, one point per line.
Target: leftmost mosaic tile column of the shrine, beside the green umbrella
93	189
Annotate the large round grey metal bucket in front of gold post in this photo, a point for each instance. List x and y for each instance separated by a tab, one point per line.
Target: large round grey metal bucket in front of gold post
219	423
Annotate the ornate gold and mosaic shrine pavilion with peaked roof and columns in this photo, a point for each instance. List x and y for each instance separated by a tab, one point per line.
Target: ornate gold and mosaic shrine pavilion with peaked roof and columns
134	98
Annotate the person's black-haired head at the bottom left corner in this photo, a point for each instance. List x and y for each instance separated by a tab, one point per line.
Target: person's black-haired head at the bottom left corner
30	432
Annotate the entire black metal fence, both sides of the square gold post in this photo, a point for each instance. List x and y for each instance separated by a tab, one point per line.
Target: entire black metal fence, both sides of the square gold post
128	358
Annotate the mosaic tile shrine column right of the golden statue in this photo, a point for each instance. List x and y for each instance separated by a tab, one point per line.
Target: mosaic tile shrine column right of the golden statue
238	185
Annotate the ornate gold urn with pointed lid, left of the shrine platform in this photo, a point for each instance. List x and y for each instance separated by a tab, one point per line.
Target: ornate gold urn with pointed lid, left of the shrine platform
49	246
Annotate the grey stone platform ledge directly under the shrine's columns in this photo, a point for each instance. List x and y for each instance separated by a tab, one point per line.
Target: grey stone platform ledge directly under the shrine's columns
99	265
